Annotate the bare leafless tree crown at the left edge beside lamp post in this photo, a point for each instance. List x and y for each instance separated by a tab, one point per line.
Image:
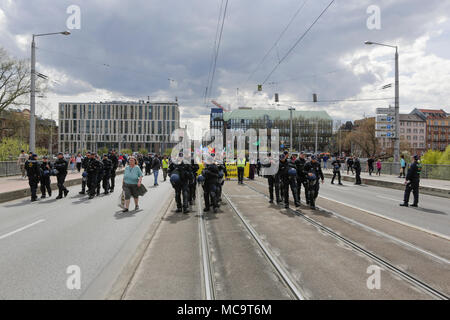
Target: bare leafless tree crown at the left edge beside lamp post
15	80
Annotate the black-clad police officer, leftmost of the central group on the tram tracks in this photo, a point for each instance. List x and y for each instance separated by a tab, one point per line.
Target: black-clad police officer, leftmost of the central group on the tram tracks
180	173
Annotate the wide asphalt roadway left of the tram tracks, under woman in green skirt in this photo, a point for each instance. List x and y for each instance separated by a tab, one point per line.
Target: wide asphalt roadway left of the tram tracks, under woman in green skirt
40	240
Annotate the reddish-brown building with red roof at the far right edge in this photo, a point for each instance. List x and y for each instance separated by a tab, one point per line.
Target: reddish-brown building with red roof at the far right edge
437	127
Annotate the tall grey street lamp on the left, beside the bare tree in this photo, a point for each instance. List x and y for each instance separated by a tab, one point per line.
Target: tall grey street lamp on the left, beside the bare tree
33	88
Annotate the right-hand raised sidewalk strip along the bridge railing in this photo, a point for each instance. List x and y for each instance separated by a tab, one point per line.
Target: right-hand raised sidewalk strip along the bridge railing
433	187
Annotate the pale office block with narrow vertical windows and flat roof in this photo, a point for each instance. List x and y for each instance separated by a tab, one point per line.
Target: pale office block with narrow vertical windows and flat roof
117	125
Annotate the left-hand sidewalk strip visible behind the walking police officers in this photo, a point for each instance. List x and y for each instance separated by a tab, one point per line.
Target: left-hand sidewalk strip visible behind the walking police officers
14	187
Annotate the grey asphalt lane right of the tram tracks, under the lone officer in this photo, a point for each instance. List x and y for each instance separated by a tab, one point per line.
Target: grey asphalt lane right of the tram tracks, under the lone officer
433	213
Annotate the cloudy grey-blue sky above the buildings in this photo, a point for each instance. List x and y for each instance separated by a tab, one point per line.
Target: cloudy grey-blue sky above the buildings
127	50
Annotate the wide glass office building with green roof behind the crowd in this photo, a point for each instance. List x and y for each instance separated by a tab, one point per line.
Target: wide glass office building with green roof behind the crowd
305	124
